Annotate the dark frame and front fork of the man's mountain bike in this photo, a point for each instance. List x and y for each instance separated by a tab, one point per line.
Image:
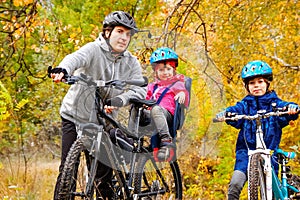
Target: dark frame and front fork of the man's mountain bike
100	137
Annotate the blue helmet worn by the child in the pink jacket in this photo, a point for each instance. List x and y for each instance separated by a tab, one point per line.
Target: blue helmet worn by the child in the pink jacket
163	54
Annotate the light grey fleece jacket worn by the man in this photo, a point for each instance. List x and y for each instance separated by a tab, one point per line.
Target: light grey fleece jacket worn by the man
96	60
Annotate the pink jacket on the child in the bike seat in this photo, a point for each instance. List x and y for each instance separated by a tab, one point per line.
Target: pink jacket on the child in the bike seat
168	101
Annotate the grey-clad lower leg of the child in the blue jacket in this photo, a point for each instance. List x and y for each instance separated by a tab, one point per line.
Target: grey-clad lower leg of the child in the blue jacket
236	185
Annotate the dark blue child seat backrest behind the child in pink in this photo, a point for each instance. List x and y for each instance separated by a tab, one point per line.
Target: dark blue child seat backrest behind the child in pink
180	110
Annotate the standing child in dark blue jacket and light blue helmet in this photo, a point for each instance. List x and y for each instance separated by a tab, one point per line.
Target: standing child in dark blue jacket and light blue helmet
257	76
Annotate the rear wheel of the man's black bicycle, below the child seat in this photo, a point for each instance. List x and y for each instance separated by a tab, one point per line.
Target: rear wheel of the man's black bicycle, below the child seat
157	180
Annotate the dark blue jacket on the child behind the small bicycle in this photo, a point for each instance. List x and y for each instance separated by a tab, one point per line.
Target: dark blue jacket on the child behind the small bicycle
272	126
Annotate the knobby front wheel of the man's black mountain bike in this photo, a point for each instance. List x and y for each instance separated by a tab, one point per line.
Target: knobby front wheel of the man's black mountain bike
75	174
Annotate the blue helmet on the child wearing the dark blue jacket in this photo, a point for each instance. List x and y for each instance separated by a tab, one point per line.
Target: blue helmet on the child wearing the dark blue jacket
256	68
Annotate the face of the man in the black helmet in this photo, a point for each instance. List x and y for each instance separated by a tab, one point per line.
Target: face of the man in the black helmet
119	38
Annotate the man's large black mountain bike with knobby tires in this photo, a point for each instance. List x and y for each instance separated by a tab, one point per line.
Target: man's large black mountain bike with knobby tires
136	176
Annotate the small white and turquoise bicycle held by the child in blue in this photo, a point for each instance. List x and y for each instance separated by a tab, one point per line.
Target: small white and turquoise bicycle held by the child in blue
263	182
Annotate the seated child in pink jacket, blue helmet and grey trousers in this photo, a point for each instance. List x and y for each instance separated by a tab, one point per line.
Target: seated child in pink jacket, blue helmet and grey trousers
167	88
